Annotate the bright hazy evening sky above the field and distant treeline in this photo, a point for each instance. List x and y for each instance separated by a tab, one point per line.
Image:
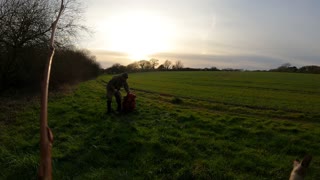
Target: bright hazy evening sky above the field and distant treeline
239	34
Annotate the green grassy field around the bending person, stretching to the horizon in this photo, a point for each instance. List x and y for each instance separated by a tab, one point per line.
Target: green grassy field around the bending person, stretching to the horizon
187	125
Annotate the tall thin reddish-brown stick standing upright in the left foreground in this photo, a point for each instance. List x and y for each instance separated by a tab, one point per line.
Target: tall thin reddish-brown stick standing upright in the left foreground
46	136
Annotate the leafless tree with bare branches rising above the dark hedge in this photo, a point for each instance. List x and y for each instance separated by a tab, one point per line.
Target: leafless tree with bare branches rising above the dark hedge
27	23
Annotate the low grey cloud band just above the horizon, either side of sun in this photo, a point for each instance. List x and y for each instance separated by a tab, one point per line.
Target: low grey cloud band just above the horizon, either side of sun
240	61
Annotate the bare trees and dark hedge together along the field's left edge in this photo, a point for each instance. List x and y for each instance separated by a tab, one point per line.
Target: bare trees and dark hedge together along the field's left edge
24	37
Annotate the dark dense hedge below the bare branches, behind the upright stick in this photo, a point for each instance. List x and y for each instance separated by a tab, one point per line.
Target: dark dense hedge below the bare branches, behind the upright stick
69	66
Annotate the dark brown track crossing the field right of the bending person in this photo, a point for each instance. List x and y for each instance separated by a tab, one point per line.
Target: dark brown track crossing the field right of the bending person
254	111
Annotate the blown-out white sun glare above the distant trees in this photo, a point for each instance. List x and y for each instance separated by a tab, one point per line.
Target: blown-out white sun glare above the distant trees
138	34
